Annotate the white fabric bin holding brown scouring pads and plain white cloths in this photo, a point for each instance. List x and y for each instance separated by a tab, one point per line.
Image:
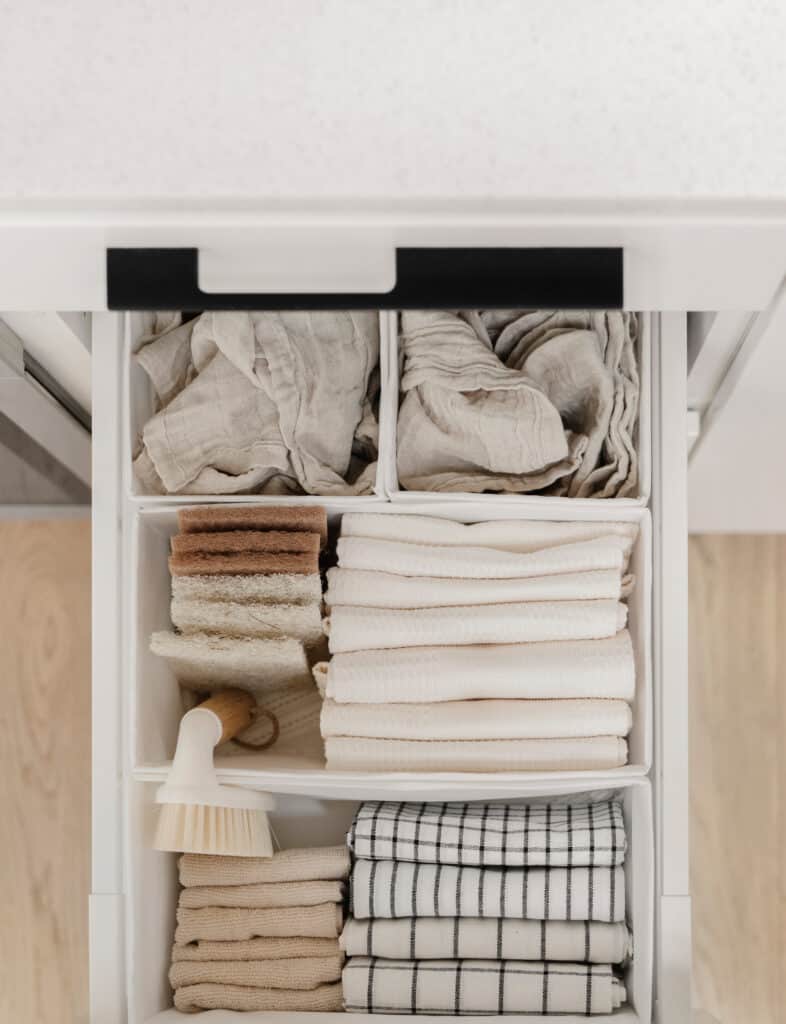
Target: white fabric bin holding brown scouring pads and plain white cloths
158	703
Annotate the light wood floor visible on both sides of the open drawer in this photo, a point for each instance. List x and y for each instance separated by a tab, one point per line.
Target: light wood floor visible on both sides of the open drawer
738	763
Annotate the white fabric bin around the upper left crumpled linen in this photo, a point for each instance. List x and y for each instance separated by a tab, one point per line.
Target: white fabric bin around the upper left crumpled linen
140	406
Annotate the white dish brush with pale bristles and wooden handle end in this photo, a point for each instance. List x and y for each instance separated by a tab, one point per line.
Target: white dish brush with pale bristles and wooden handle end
198	815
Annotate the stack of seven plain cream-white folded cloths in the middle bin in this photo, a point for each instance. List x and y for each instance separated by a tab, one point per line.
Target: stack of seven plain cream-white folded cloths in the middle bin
495	647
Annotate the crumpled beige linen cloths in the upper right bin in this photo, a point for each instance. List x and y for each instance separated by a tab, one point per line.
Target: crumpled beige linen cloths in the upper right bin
508	401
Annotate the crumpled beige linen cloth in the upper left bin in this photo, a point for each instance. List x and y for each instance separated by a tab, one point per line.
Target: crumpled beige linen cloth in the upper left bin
278	403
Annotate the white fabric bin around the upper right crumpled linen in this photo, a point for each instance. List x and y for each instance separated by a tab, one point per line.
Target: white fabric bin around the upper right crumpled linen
643	438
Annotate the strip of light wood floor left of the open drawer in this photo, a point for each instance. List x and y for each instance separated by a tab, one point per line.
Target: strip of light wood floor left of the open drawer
46	779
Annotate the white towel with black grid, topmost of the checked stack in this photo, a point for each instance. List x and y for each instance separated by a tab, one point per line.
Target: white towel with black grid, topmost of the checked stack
492	835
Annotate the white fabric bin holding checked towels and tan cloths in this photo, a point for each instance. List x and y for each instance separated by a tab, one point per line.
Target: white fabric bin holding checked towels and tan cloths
153	893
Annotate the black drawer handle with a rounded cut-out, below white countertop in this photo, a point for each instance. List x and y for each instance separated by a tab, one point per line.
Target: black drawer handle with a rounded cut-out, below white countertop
426	279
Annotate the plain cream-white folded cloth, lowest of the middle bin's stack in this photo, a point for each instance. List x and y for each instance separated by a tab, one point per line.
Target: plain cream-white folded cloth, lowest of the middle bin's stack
578	754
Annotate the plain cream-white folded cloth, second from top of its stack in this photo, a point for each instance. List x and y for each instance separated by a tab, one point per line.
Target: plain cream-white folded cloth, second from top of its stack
460	563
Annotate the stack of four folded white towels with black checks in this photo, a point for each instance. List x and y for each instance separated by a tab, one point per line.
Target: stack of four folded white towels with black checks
487	909
